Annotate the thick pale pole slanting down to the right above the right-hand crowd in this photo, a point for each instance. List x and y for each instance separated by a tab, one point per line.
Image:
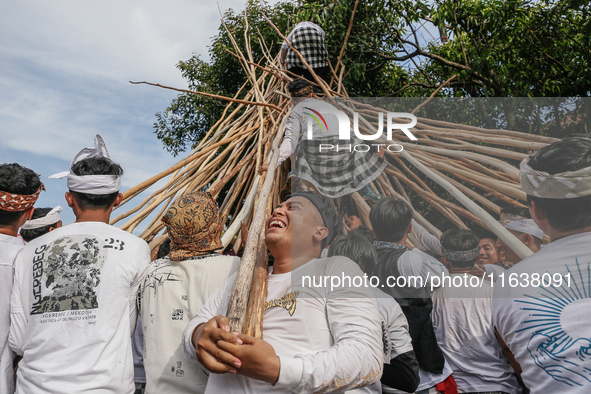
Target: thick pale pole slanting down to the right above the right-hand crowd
512	241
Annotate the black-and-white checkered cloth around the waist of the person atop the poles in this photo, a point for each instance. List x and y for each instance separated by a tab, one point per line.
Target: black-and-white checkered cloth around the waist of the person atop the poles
336	174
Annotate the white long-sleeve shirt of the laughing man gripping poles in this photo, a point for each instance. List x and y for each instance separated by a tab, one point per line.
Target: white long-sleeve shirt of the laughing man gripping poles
327	340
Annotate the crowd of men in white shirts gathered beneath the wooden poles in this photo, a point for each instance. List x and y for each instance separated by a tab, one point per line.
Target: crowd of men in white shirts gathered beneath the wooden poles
70	297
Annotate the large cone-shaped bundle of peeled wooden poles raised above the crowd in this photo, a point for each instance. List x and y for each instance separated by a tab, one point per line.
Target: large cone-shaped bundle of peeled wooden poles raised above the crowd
469	162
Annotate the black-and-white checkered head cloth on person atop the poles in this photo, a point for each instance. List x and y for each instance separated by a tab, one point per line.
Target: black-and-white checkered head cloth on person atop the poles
310	43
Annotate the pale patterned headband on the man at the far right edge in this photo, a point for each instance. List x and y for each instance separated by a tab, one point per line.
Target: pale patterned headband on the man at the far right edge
565	185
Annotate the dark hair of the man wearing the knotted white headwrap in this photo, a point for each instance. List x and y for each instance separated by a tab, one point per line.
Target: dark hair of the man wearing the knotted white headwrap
96	166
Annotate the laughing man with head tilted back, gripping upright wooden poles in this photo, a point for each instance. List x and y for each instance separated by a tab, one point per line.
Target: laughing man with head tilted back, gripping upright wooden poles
316	338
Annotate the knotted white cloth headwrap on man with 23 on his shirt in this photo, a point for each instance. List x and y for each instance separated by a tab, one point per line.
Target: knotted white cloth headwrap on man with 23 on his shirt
91	184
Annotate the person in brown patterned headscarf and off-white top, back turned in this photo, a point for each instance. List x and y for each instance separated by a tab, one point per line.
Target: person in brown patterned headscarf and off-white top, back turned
176	287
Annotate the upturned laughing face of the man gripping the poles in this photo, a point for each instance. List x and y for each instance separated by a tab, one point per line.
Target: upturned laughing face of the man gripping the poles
295	224
